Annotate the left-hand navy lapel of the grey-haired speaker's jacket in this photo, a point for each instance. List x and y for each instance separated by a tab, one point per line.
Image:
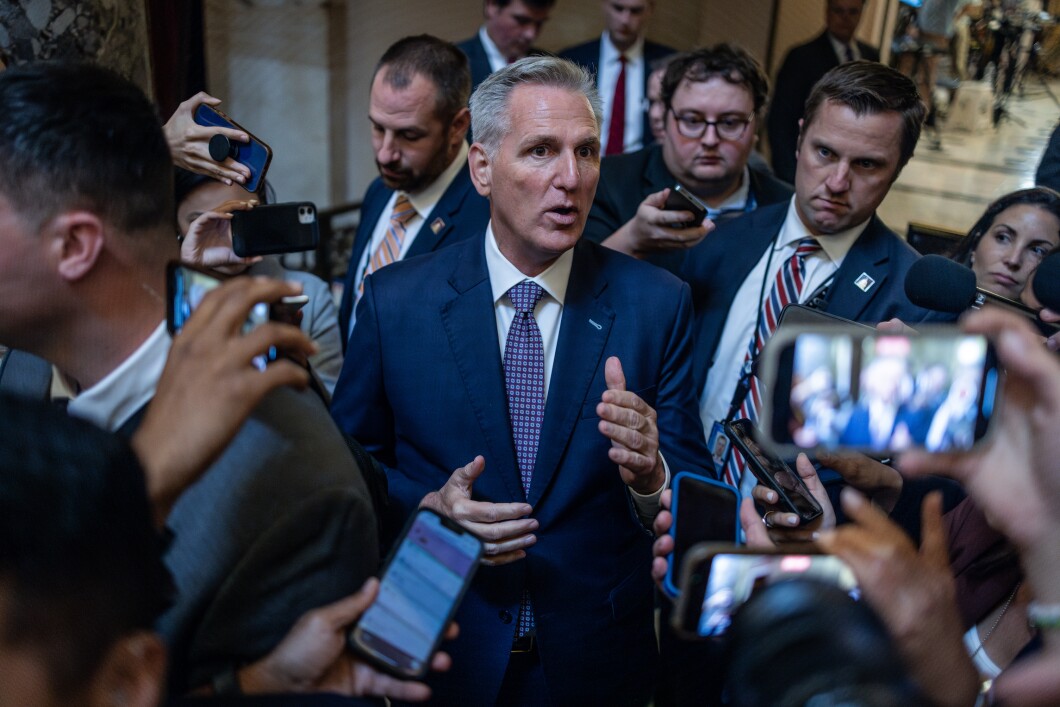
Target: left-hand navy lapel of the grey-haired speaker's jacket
469	324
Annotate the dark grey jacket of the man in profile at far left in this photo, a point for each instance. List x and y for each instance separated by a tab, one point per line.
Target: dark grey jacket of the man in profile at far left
280	524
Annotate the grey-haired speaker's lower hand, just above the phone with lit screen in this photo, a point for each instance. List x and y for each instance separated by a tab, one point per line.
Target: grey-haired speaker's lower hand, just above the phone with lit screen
505	527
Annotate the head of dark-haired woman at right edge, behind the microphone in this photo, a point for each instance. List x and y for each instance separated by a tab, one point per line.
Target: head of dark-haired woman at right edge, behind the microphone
1011	240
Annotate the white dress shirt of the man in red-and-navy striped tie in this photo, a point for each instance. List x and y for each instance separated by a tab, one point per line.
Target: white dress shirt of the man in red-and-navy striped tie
744	314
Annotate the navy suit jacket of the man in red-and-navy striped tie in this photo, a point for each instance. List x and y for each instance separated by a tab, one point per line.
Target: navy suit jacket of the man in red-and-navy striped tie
717	268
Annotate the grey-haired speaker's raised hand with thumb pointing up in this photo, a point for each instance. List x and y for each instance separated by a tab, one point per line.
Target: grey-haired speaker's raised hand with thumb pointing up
630	423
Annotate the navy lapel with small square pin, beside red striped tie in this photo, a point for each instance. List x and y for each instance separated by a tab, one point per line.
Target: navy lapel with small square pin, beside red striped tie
863	274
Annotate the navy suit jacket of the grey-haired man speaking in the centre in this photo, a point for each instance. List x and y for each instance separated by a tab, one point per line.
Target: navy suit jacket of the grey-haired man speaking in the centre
427	395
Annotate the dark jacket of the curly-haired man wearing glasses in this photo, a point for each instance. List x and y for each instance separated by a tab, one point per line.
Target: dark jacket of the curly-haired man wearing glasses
627	180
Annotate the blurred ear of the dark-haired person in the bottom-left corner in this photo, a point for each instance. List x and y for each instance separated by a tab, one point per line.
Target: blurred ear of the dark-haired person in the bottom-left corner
132	674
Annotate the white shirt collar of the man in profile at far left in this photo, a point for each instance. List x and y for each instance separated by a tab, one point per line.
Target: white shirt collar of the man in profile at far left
128	388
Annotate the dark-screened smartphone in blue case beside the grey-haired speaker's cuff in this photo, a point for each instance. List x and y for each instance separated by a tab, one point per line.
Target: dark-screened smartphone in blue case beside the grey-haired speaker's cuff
703	510
